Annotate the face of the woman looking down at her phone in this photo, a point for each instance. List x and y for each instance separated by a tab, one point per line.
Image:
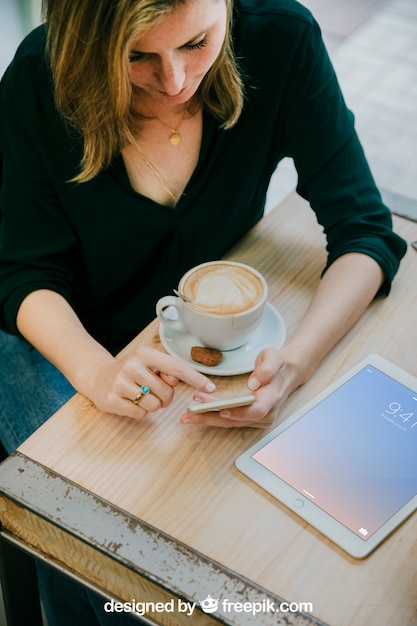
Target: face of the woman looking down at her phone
168	63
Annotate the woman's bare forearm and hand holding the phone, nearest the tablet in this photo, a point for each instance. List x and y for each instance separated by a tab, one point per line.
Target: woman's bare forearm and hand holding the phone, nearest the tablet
343	294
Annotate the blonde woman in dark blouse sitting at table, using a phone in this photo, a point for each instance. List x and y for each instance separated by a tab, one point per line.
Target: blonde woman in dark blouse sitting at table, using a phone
141	136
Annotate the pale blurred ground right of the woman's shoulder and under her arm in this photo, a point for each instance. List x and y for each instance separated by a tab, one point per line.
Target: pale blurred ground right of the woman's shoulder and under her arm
372	44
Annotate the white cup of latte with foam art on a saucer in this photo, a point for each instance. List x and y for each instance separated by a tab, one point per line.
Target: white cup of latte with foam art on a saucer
228	300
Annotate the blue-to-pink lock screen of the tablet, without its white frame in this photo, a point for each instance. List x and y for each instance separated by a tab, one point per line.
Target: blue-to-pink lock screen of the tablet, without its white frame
354	454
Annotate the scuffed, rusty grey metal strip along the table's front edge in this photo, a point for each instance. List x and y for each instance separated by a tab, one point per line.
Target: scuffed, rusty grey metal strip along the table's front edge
144	549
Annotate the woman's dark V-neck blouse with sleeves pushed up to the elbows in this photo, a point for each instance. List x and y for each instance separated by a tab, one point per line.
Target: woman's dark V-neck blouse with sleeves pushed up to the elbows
112	252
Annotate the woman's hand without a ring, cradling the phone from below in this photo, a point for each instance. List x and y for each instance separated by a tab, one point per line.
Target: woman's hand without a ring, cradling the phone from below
272	381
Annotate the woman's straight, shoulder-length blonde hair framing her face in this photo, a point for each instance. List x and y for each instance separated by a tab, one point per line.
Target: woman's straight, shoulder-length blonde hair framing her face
88	49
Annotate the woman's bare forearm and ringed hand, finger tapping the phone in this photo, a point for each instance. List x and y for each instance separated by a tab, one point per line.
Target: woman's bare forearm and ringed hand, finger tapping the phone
49	323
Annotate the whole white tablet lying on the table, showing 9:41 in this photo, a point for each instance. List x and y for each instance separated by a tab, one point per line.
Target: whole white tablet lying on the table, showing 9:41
347	462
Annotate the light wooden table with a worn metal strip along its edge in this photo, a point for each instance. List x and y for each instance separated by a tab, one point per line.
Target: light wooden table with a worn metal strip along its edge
178	484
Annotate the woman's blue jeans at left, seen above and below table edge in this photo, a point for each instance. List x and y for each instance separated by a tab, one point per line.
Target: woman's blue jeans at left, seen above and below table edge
31	390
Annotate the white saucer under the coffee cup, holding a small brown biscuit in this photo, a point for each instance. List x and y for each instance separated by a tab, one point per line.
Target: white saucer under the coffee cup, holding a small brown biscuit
270	333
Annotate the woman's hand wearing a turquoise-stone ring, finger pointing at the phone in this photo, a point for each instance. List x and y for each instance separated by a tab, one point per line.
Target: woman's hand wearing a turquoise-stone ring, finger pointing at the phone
116	383
